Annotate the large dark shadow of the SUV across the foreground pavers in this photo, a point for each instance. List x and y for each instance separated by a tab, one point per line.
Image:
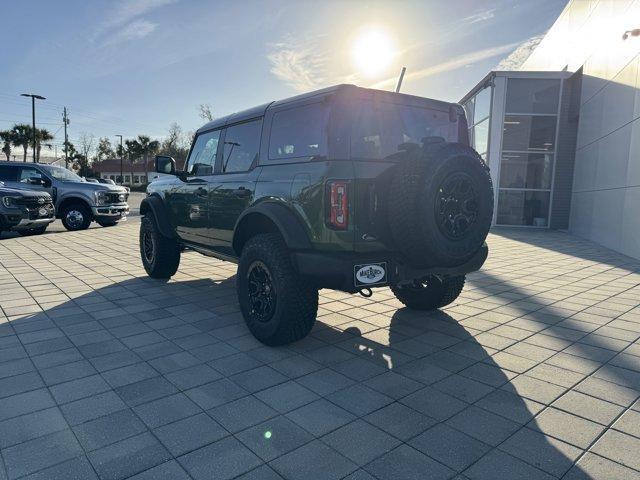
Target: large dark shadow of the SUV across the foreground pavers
117	381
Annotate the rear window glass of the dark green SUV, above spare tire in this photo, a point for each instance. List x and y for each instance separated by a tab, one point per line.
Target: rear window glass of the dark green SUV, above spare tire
380	128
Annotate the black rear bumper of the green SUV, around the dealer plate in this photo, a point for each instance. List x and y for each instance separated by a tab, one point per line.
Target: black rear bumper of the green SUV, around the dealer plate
337	270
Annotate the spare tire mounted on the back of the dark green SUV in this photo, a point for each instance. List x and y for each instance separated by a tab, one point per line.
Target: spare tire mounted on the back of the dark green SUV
440	204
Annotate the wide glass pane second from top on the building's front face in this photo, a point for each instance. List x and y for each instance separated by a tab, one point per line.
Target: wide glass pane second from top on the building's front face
526	133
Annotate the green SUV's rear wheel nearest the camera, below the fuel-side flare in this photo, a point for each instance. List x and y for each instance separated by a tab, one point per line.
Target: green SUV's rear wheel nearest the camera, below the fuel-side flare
278	305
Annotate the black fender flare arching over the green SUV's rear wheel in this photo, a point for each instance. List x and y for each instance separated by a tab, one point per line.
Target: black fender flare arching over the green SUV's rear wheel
284	219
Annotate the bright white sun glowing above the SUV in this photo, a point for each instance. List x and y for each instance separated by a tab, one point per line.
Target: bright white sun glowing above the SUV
372	51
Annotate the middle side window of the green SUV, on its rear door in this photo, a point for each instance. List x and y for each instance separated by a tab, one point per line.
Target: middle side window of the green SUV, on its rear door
241	146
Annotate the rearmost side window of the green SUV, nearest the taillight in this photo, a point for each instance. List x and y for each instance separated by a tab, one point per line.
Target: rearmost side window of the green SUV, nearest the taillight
299	132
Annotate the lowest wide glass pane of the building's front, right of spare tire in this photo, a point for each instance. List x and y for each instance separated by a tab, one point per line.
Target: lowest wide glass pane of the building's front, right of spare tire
523	208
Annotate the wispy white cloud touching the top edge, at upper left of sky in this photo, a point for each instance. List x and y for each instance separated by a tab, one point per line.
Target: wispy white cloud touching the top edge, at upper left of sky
125	22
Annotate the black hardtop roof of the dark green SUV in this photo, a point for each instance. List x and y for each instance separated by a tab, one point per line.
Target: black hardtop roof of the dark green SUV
346	89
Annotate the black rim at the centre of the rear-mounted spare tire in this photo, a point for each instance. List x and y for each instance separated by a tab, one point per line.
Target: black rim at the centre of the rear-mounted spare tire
456	206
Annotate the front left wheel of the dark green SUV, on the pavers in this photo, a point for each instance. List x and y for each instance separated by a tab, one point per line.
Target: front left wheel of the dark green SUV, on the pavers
164	260
